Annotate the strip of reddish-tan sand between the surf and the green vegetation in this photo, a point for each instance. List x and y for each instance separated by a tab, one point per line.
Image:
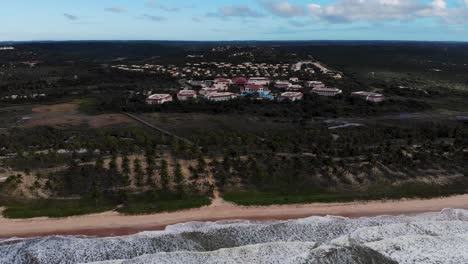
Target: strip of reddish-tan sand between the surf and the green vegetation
111	224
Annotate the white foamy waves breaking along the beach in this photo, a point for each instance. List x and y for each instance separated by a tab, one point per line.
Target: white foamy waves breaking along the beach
425	238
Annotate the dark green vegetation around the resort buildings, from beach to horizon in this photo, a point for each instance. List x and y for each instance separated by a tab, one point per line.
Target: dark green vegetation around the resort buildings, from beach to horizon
255	152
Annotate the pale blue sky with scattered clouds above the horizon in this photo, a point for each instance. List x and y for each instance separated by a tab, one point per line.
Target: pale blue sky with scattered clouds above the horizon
428	20
